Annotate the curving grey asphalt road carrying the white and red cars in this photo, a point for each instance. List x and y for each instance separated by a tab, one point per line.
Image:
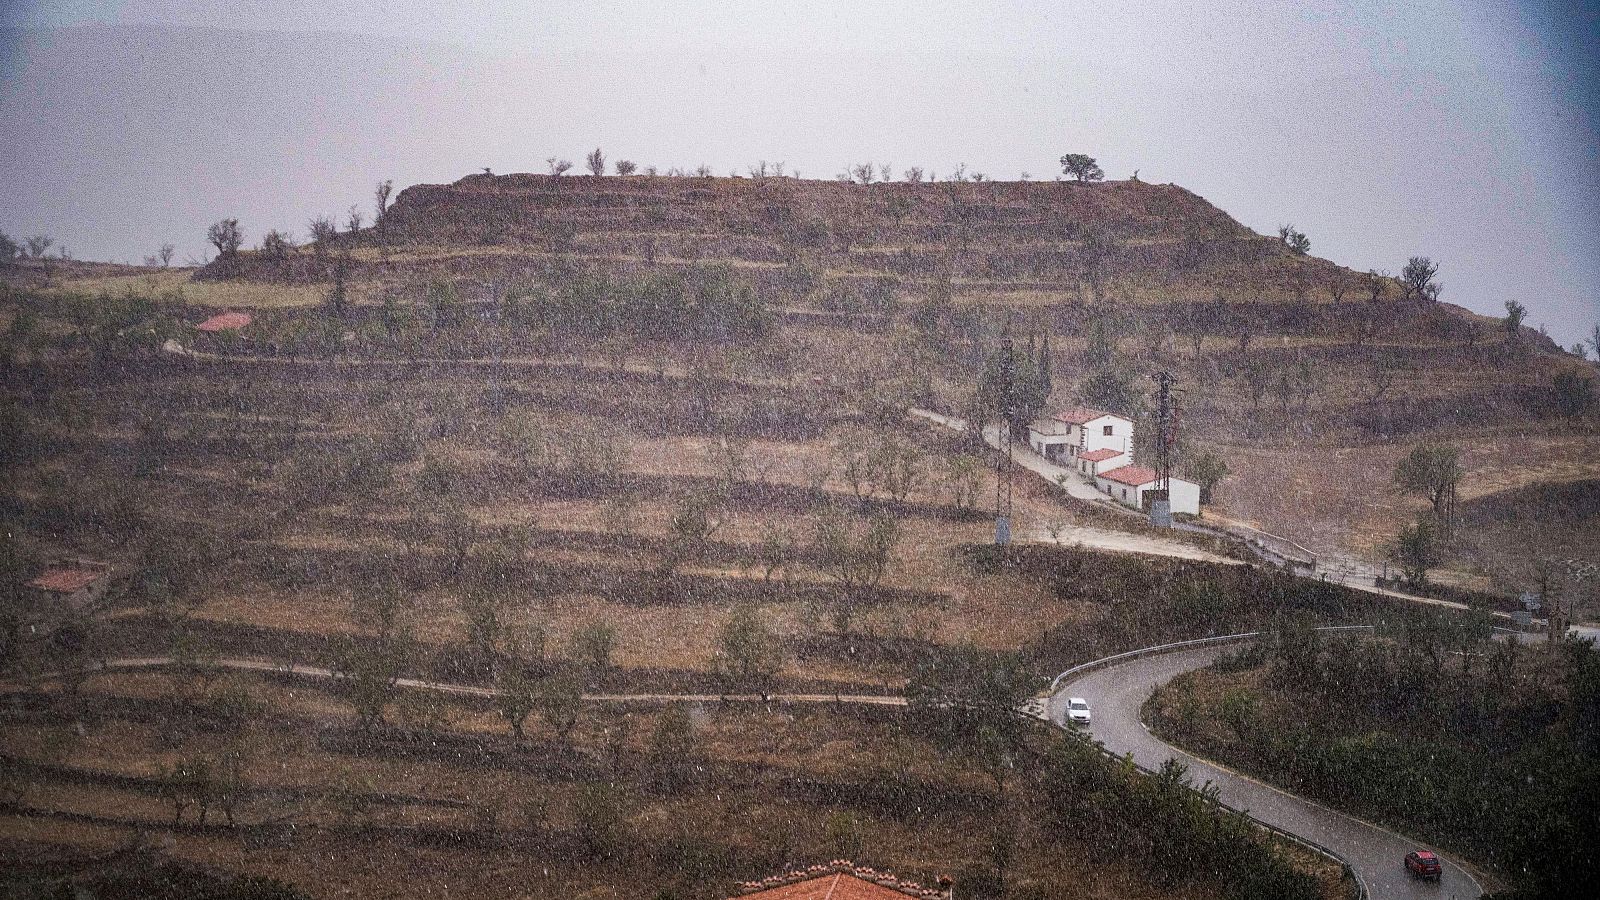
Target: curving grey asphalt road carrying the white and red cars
1377	854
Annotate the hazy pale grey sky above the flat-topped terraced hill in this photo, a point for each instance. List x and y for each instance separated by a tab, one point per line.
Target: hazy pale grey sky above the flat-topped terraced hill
1468	132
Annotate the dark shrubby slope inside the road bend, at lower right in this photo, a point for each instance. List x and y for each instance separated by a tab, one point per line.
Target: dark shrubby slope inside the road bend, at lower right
1486	749
